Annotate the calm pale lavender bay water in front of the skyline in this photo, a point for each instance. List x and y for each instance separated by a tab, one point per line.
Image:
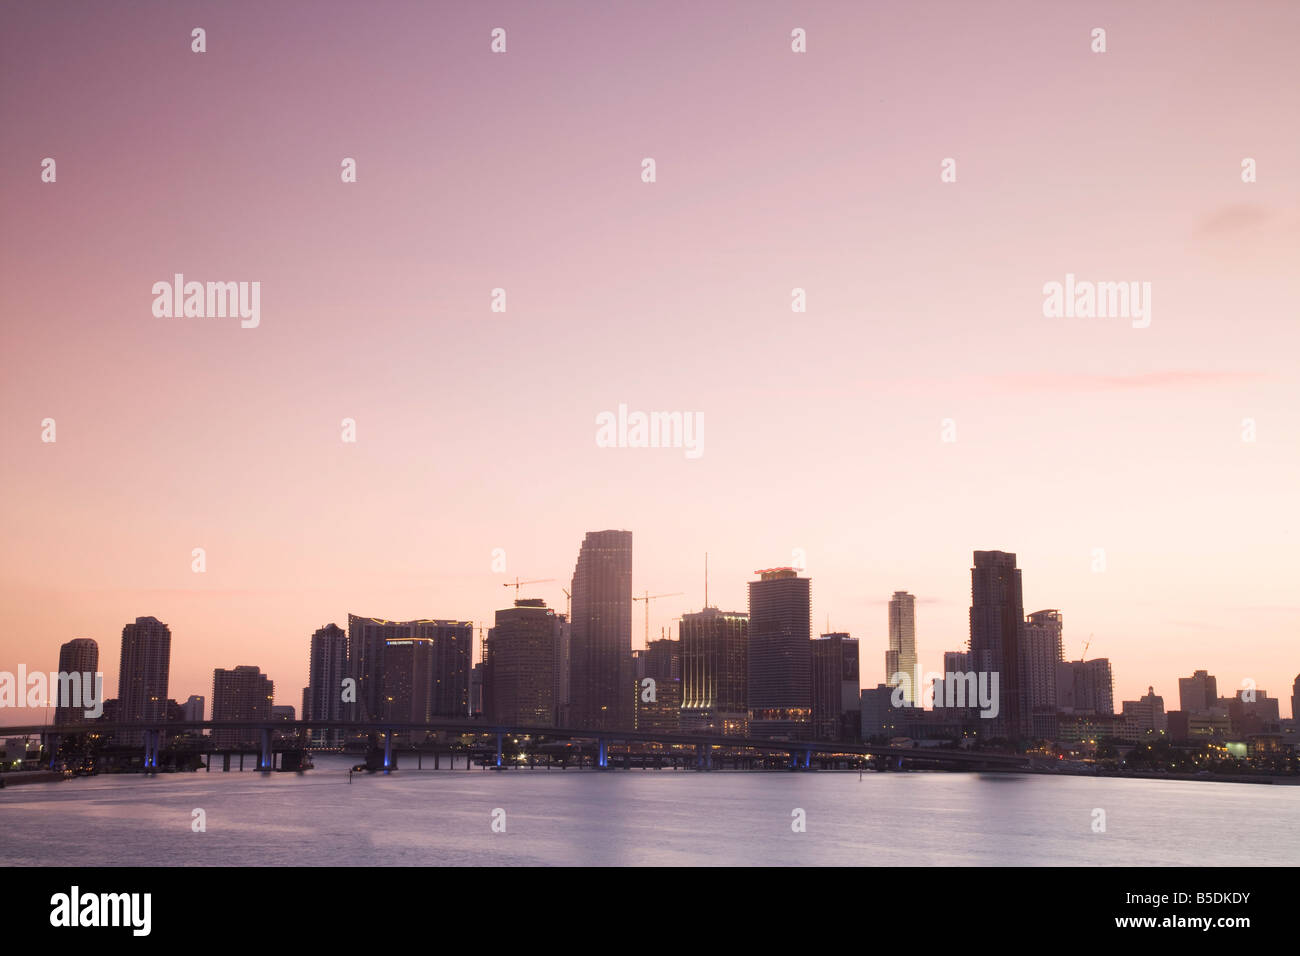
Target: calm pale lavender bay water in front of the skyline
644	819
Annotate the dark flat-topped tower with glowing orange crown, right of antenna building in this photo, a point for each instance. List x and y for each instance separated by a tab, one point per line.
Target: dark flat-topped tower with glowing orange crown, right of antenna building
781	660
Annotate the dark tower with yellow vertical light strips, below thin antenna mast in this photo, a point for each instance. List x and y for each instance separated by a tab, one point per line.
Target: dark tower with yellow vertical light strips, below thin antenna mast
714	650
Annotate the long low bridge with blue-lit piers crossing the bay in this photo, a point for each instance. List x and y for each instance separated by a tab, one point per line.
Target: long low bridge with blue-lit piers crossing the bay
703	745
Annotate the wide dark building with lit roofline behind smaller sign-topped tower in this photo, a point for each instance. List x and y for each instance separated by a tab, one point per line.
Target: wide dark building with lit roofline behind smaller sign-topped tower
369	641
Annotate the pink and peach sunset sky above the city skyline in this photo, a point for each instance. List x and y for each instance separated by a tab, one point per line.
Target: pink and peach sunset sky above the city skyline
476	430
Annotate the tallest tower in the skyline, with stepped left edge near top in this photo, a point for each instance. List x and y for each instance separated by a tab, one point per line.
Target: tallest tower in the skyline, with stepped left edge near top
601	642
